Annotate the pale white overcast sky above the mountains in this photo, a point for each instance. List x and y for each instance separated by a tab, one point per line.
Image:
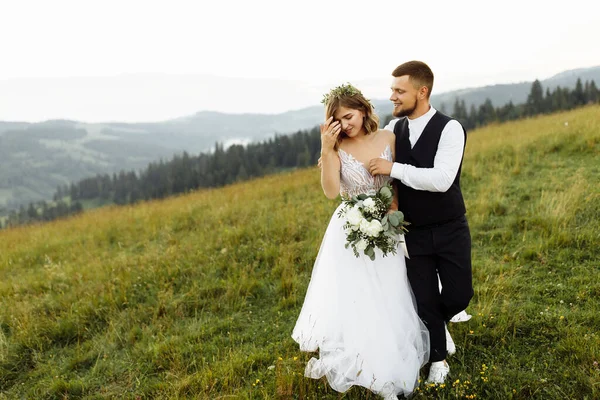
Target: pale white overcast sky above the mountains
221	53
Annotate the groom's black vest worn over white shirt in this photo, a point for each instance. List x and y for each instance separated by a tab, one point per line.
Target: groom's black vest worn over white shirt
421	207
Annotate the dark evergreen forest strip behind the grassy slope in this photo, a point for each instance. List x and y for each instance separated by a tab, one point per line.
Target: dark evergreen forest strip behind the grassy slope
223	166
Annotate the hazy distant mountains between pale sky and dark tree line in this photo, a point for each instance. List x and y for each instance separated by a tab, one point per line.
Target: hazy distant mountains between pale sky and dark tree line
36	157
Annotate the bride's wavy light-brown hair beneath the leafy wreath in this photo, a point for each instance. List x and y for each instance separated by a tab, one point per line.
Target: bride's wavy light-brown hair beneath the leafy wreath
349	97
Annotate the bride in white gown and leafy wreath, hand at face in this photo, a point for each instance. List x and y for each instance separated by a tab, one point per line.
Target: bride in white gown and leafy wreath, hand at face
359	314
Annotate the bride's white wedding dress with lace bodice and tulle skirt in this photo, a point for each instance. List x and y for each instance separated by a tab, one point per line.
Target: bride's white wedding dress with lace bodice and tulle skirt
361	314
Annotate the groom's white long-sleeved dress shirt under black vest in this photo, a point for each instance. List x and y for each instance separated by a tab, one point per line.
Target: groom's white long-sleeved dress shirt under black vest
446	162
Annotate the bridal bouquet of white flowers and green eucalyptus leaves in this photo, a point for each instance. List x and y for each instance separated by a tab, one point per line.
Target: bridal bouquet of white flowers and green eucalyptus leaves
369	225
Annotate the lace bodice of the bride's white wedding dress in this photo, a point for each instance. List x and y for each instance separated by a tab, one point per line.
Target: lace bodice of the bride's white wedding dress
356	179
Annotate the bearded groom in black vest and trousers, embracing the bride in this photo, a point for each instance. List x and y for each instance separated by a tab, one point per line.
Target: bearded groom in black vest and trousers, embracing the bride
429	154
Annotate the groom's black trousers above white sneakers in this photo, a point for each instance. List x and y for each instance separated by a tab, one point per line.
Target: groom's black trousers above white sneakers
444	250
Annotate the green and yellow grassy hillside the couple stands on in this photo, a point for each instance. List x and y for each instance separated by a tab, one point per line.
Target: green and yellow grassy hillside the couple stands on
196	296
